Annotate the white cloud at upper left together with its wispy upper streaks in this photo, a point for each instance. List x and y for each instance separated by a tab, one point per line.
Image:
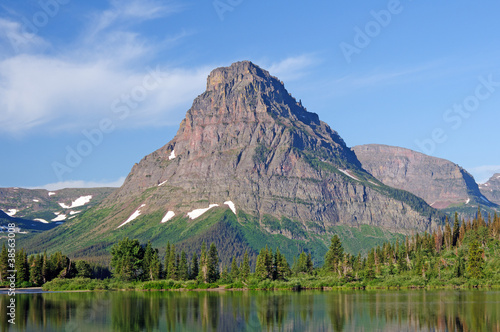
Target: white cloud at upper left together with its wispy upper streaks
77	87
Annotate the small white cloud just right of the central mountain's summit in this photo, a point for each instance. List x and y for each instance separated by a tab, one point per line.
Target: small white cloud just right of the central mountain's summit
292	68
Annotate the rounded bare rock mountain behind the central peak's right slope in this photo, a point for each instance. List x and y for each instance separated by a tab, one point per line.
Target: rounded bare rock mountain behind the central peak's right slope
439	182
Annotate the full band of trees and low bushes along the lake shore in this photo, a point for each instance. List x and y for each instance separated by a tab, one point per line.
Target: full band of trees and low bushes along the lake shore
464	255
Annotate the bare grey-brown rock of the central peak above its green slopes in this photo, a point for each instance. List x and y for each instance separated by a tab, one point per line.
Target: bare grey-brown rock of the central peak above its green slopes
247	140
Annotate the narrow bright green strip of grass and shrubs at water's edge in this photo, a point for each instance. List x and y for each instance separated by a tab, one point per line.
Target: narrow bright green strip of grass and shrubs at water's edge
294	284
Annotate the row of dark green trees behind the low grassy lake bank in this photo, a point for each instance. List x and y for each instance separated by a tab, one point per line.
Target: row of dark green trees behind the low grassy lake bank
462	250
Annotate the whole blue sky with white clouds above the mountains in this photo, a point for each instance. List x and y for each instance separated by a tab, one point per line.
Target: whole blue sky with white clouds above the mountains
89	88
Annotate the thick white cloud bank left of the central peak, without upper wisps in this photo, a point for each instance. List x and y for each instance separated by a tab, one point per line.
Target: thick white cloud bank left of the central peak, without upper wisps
57	95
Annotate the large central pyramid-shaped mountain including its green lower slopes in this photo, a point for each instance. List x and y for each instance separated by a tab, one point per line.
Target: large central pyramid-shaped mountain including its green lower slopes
250	161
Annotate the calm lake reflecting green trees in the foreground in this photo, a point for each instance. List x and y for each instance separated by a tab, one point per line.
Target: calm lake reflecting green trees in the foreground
415	310
